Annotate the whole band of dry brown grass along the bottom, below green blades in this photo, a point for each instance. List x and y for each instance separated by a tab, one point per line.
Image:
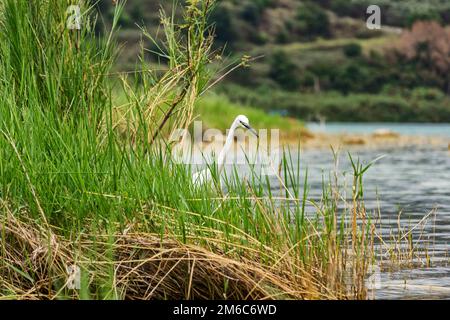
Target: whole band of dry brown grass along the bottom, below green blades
34	262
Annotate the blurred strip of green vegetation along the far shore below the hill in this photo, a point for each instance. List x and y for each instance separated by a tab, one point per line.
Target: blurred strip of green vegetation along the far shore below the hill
418	105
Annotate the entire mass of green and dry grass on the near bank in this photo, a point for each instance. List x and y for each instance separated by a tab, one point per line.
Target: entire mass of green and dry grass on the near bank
87	184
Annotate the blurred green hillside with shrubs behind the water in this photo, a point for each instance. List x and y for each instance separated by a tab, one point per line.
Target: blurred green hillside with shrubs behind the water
318	58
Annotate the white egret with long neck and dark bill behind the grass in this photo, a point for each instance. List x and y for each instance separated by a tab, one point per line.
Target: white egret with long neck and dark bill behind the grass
205	176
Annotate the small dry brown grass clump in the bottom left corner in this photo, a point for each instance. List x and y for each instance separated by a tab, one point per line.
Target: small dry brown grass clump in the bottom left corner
31	257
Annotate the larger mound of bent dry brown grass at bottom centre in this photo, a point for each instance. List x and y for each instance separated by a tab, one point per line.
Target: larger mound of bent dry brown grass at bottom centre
151	269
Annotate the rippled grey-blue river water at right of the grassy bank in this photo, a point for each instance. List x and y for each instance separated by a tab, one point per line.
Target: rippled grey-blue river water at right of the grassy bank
413	181
